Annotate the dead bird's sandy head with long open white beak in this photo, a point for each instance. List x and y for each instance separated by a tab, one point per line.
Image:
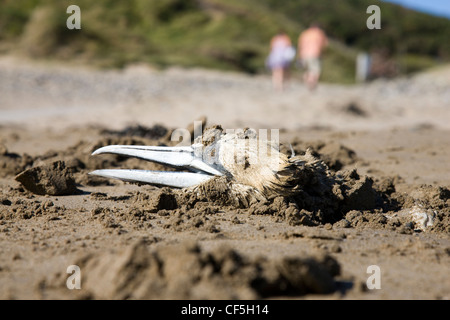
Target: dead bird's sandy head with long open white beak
249	167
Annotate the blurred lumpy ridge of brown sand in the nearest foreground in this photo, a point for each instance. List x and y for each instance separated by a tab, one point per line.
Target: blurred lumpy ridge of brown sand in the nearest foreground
137	273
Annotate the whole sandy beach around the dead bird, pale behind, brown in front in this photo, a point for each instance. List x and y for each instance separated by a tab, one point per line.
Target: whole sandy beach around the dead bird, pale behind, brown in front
389	141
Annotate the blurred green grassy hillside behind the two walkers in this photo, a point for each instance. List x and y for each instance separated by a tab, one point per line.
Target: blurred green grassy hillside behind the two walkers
221	34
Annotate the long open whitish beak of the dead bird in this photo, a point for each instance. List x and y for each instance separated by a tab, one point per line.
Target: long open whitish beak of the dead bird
181	157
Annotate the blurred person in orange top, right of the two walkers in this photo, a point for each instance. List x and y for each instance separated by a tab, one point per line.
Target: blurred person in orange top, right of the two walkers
311	43
